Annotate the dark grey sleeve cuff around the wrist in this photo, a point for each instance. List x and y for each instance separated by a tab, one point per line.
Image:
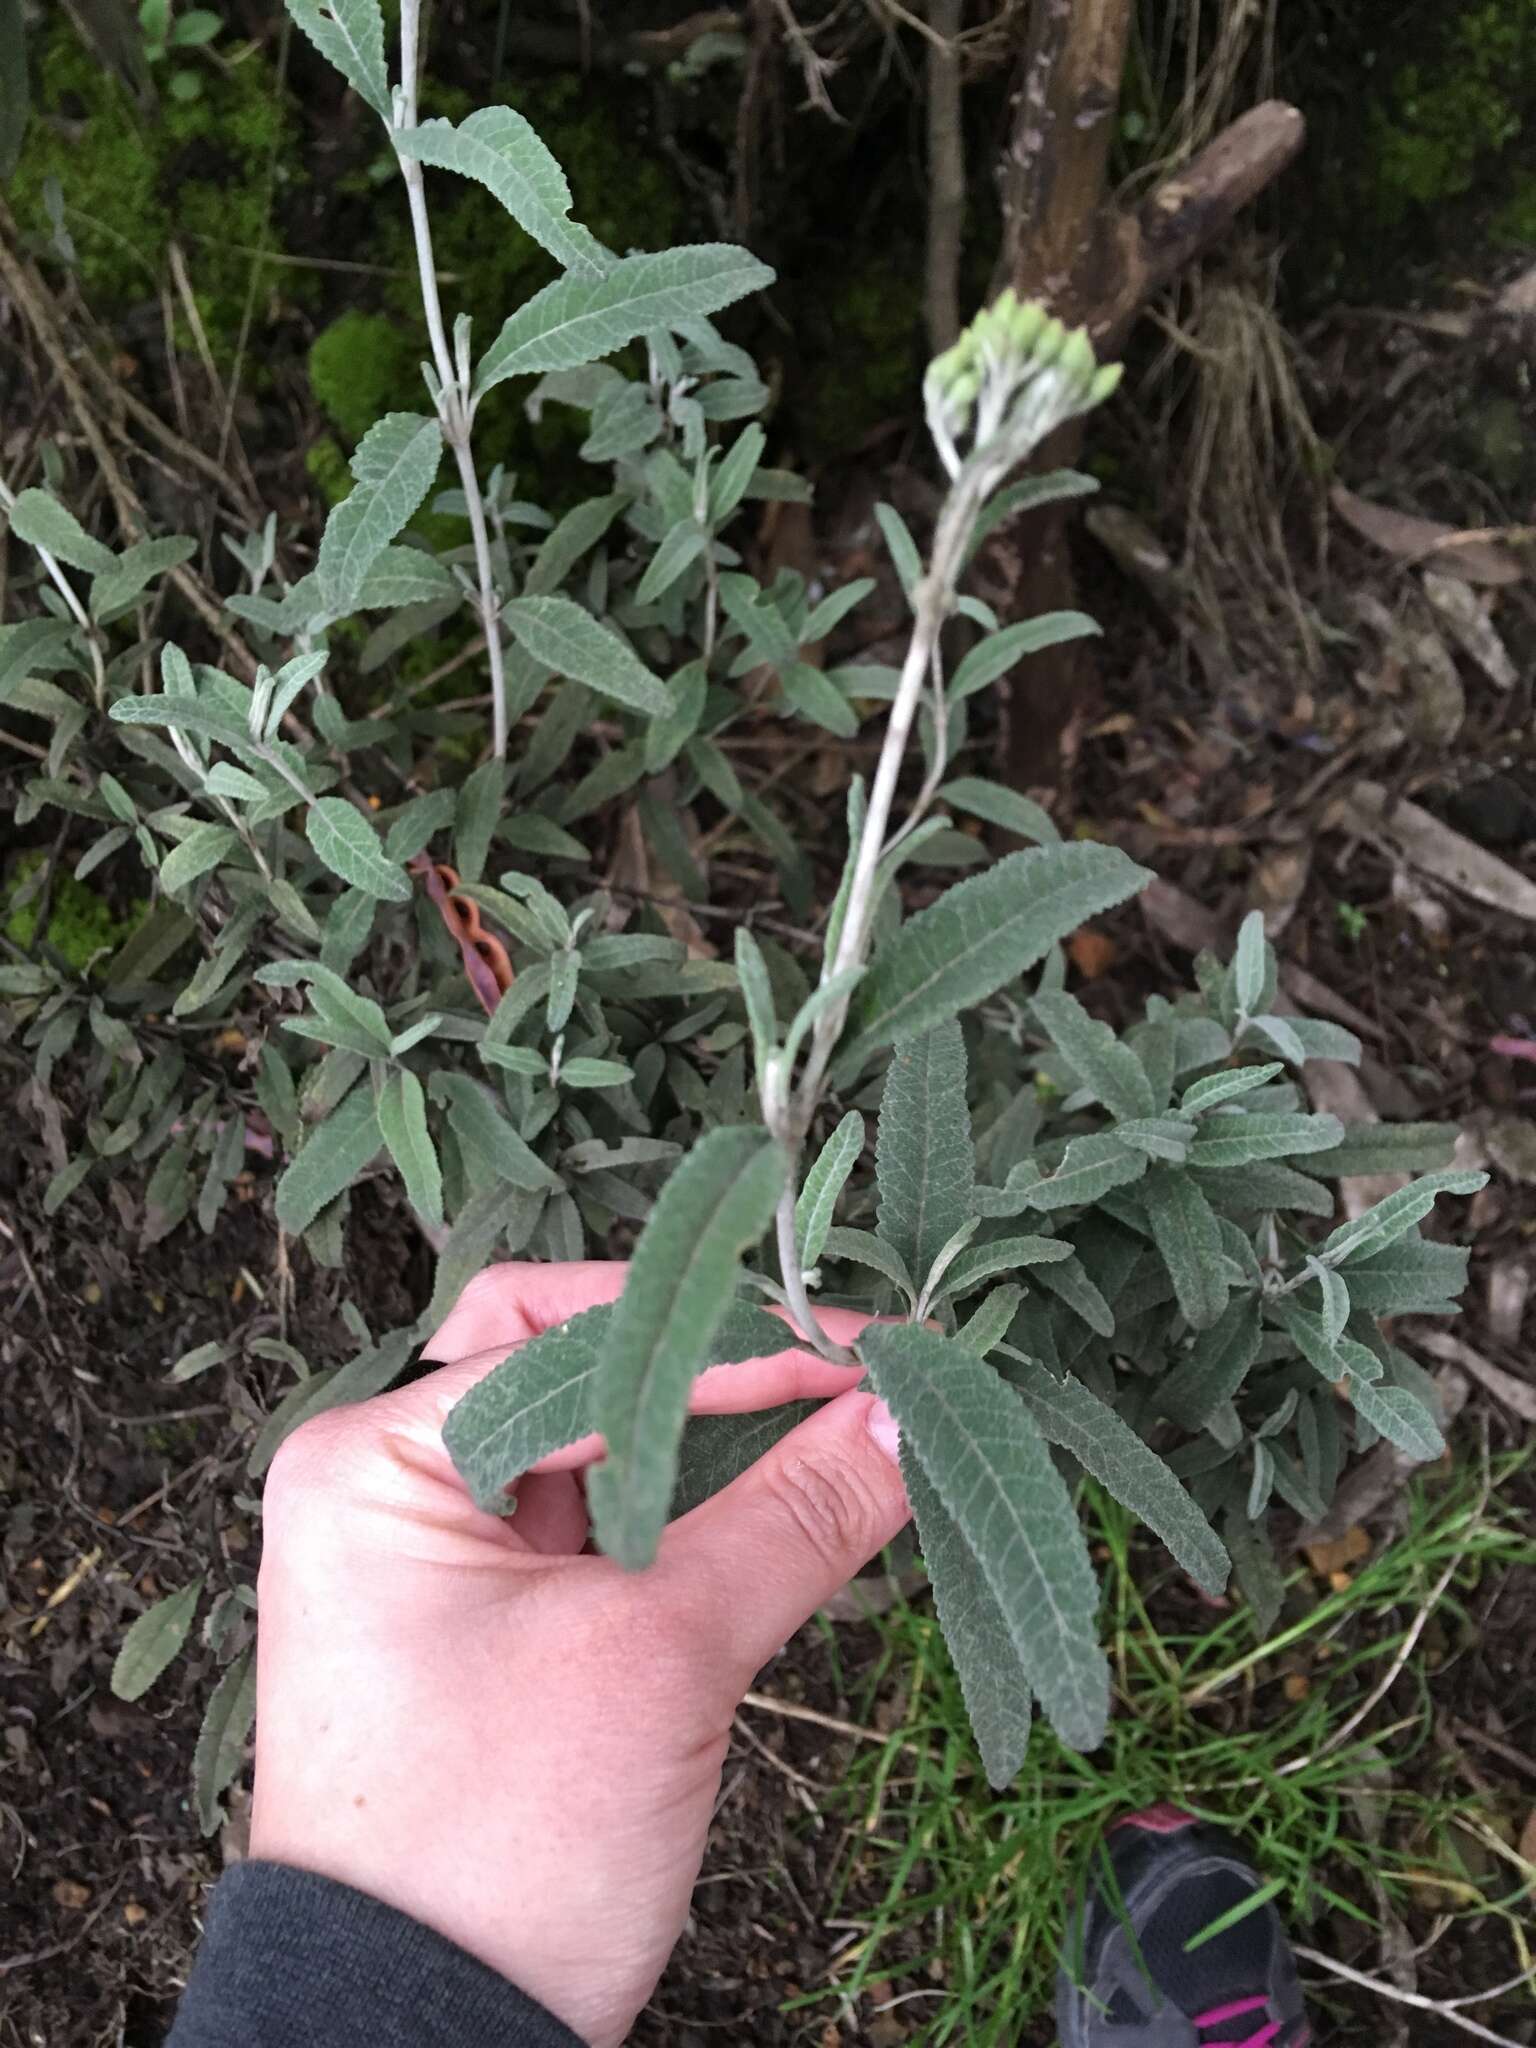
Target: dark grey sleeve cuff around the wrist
292	1961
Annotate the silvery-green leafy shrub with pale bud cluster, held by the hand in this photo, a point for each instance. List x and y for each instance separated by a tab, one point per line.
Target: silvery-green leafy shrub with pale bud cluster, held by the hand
1125	1271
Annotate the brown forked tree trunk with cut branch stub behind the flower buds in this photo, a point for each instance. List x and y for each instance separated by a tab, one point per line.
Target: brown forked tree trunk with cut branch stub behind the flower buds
1095	265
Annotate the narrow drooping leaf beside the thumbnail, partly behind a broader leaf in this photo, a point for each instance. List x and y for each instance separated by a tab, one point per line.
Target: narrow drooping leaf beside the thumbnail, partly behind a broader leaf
986	1660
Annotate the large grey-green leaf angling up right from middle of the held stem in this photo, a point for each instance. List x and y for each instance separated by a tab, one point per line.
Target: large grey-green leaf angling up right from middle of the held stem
980	935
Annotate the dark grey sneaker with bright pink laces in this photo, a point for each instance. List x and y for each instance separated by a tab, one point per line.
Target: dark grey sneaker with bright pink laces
1138	1979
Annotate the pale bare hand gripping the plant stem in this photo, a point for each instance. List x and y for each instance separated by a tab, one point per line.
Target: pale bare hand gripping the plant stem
499	1734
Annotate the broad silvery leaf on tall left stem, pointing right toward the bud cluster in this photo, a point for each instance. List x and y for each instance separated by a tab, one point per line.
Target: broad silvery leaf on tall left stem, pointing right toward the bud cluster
581	321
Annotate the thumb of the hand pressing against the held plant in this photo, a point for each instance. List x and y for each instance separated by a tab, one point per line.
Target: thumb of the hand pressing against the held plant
763	1555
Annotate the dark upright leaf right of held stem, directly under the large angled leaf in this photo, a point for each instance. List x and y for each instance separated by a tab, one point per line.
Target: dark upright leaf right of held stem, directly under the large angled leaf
925	1164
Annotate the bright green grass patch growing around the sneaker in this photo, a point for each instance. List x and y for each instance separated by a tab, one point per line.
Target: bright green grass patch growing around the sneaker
972	1887
